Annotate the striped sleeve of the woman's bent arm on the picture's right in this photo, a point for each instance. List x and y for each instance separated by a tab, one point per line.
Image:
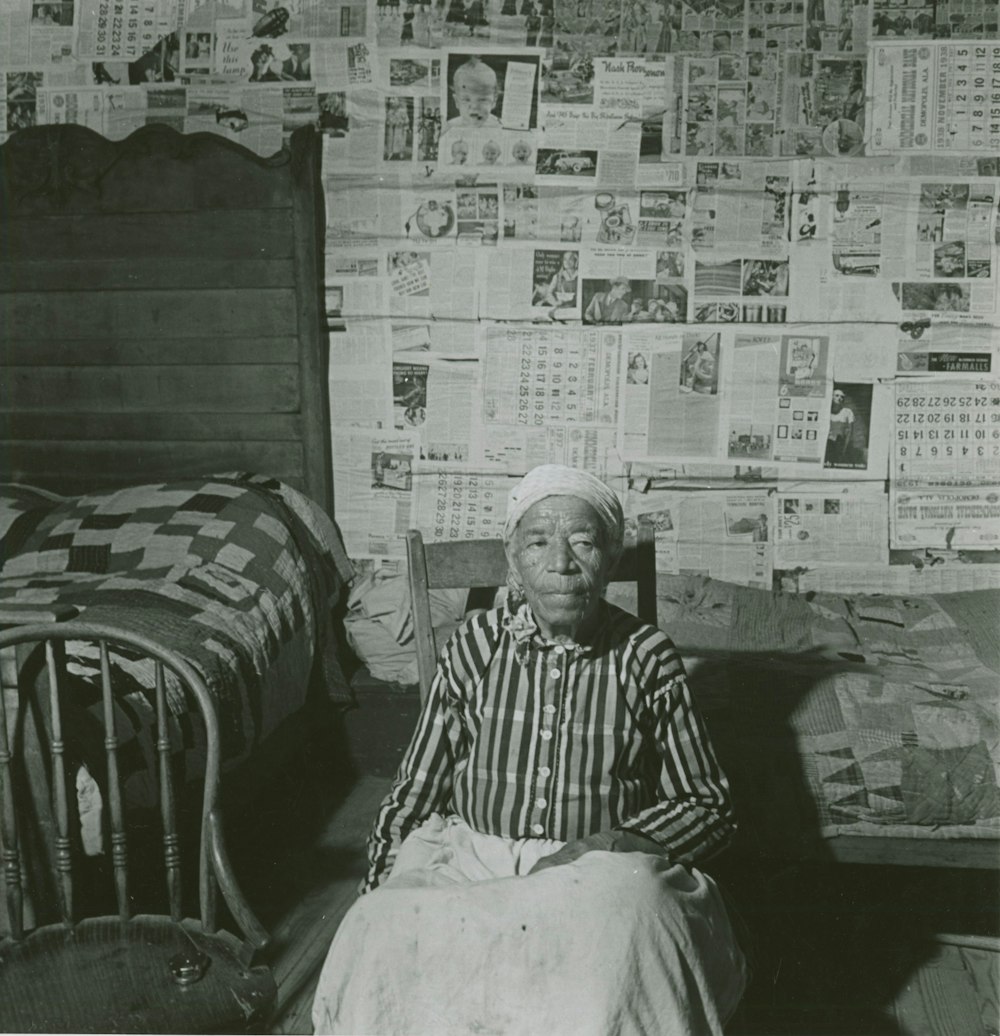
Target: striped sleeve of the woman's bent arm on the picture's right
694	817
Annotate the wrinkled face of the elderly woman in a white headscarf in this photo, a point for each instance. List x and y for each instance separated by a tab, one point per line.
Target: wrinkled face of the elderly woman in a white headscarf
559	556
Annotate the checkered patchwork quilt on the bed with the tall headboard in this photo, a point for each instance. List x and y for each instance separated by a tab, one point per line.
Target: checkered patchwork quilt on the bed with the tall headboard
238	573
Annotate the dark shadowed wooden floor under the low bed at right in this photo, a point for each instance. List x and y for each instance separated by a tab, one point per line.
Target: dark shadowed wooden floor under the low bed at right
858	952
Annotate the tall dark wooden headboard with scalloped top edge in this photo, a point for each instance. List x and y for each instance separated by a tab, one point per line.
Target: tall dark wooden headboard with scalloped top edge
161	310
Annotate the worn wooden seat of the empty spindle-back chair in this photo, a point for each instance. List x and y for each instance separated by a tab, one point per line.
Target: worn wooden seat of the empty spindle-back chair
105	975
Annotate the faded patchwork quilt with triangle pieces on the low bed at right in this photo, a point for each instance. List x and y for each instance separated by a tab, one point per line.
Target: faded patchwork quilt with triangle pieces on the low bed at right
863	715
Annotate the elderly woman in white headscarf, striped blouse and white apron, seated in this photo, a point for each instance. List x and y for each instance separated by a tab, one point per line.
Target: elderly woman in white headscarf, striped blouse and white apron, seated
533	869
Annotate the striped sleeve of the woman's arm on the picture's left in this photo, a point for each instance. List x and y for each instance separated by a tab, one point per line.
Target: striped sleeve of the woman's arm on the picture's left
423	784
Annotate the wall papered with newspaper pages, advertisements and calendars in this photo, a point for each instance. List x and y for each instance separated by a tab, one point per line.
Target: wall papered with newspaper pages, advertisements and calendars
736	257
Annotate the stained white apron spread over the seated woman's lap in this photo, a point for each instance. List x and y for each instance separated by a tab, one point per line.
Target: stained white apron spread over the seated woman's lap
462	940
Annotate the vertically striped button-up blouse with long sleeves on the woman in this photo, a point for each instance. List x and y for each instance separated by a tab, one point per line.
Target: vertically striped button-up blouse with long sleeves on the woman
525	739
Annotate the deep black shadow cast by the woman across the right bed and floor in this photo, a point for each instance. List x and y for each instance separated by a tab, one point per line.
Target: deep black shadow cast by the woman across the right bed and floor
832	945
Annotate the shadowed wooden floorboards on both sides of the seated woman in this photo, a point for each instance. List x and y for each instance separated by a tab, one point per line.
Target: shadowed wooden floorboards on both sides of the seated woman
837	952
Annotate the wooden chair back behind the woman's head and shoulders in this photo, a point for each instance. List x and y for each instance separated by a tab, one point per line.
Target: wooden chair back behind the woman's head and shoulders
481	565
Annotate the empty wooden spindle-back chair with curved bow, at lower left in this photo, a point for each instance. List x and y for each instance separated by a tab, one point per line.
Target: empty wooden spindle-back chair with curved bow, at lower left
120	971
